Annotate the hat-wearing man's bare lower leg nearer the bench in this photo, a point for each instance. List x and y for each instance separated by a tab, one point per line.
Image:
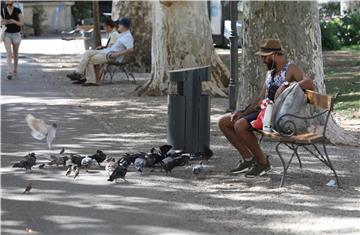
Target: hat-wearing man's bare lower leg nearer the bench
249	139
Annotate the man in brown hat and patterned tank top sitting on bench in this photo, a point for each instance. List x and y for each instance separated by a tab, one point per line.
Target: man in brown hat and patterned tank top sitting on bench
236	126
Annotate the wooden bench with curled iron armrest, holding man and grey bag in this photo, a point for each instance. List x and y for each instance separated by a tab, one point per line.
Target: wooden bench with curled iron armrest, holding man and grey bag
292	140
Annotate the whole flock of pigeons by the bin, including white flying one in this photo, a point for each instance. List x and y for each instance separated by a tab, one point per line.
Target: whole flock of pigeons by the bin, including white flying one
164	157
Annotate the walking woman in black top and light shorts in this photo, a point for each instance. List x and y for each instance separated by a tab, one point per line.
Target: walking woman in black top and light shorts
13	19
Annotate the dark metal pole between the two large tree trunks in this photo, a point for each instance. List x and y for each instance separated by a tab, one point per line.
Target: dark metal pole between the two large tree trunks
233	56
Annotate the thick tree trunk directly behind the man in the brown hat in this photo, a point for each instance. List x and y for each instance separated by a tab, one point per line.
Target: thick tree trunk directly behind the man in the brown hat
296	24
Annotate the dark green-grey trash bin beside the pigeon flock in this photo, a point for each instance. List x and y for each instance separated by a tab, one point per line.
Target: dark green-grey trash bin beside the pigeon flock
189	110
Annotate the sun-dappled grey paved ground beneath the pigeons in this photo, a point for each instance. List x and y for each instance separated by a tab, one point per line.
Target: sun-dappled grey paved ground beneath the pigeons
111	119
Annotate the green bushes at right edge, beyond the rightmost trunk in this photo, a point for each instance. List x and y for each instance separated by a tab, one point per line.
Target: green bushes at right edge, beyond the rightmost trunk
337	32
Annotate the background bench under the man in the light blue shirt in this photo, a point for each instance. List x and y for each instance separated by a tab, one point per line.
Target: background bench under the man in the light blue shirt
109	69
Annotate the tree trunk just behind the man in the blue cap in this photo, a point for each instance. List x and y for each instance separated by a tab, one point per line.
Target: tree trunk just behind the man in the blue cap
140	14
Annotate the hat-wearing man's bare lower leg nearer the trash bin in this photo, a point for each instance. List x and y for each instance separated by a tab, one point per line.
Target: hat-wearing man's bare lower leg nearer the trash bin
227	127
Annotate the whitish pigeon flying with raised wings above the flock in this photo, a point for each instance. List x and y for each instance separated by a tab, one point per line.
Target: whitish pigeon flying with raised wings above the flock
40	130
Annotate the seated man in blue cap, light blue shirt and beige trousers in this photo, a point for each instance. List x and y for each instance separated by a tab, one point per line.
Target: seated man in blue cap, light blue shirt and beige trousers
122	46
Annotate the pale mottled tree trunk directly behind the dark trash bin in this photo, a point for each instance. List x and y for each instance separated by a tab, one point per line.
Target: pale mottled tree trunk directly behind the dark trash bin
182	39
